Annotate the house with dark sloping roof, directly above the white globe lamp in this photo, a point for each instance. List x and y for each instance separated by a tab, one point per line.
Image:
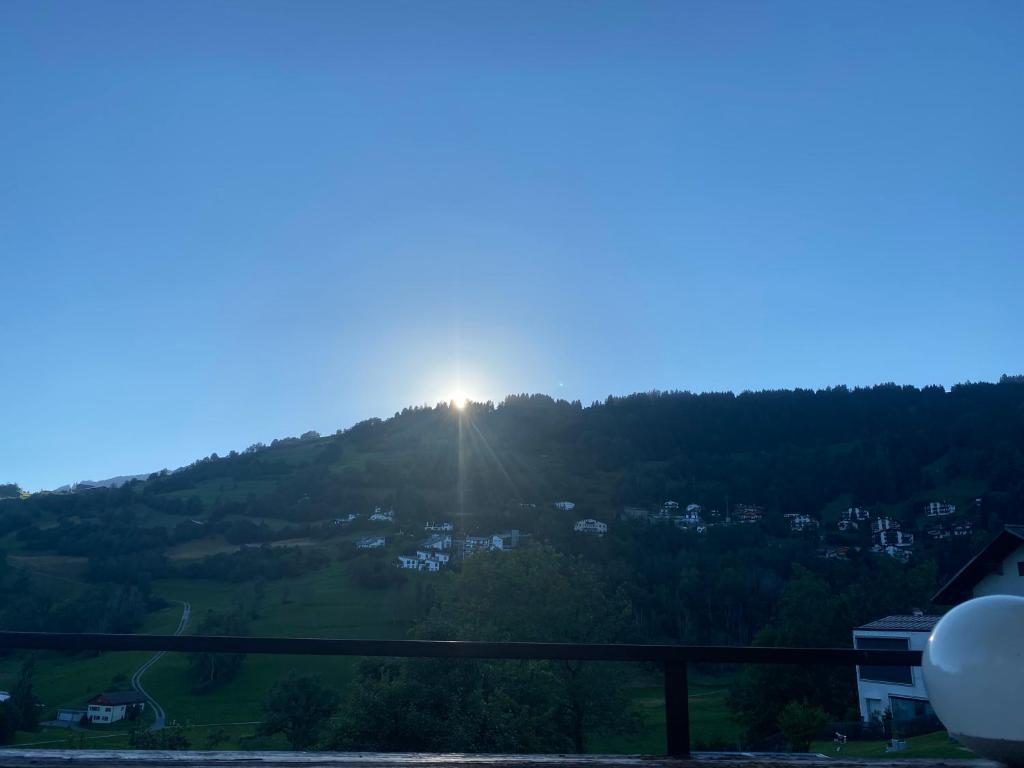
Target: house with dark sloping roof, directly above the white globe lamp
998	570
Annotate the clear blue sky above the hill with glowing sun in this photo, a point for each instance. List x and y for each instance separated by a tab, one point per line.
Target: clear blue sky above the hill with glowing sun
224	223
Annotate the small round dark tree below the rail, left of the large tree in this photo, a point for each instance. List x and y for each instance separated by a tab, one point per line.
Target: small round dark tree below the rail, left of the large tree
300	708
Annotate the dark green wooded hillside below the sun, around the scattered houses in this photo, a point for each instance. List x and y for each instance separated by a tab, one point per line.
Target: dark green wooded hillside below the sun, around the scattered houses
254	541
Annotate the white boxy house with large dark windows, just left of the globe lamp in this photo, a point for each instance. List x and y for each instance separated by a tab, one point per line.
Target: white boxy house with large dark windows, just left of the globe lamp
900	691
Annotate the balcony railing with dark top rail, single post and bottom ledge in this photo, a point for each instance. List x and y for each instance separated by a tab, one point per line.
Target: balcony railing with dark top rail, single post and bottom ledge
673	660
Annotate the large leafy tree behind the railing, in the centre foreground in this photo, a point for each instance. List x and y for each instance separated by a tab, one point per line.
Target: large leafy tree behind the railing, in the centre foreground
499	706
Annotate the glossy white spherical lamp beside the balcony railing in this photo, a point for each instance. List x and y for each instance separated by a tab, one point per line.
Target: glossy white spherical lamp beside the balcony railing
974	673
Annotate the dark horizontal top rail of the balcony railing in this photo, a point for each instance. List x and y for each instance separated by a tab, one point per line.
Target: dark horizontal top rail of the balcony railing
459	650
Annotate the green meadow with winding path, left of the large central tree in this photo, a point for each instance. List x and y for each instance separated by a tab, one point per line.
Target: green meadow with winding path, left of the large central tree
323	604
